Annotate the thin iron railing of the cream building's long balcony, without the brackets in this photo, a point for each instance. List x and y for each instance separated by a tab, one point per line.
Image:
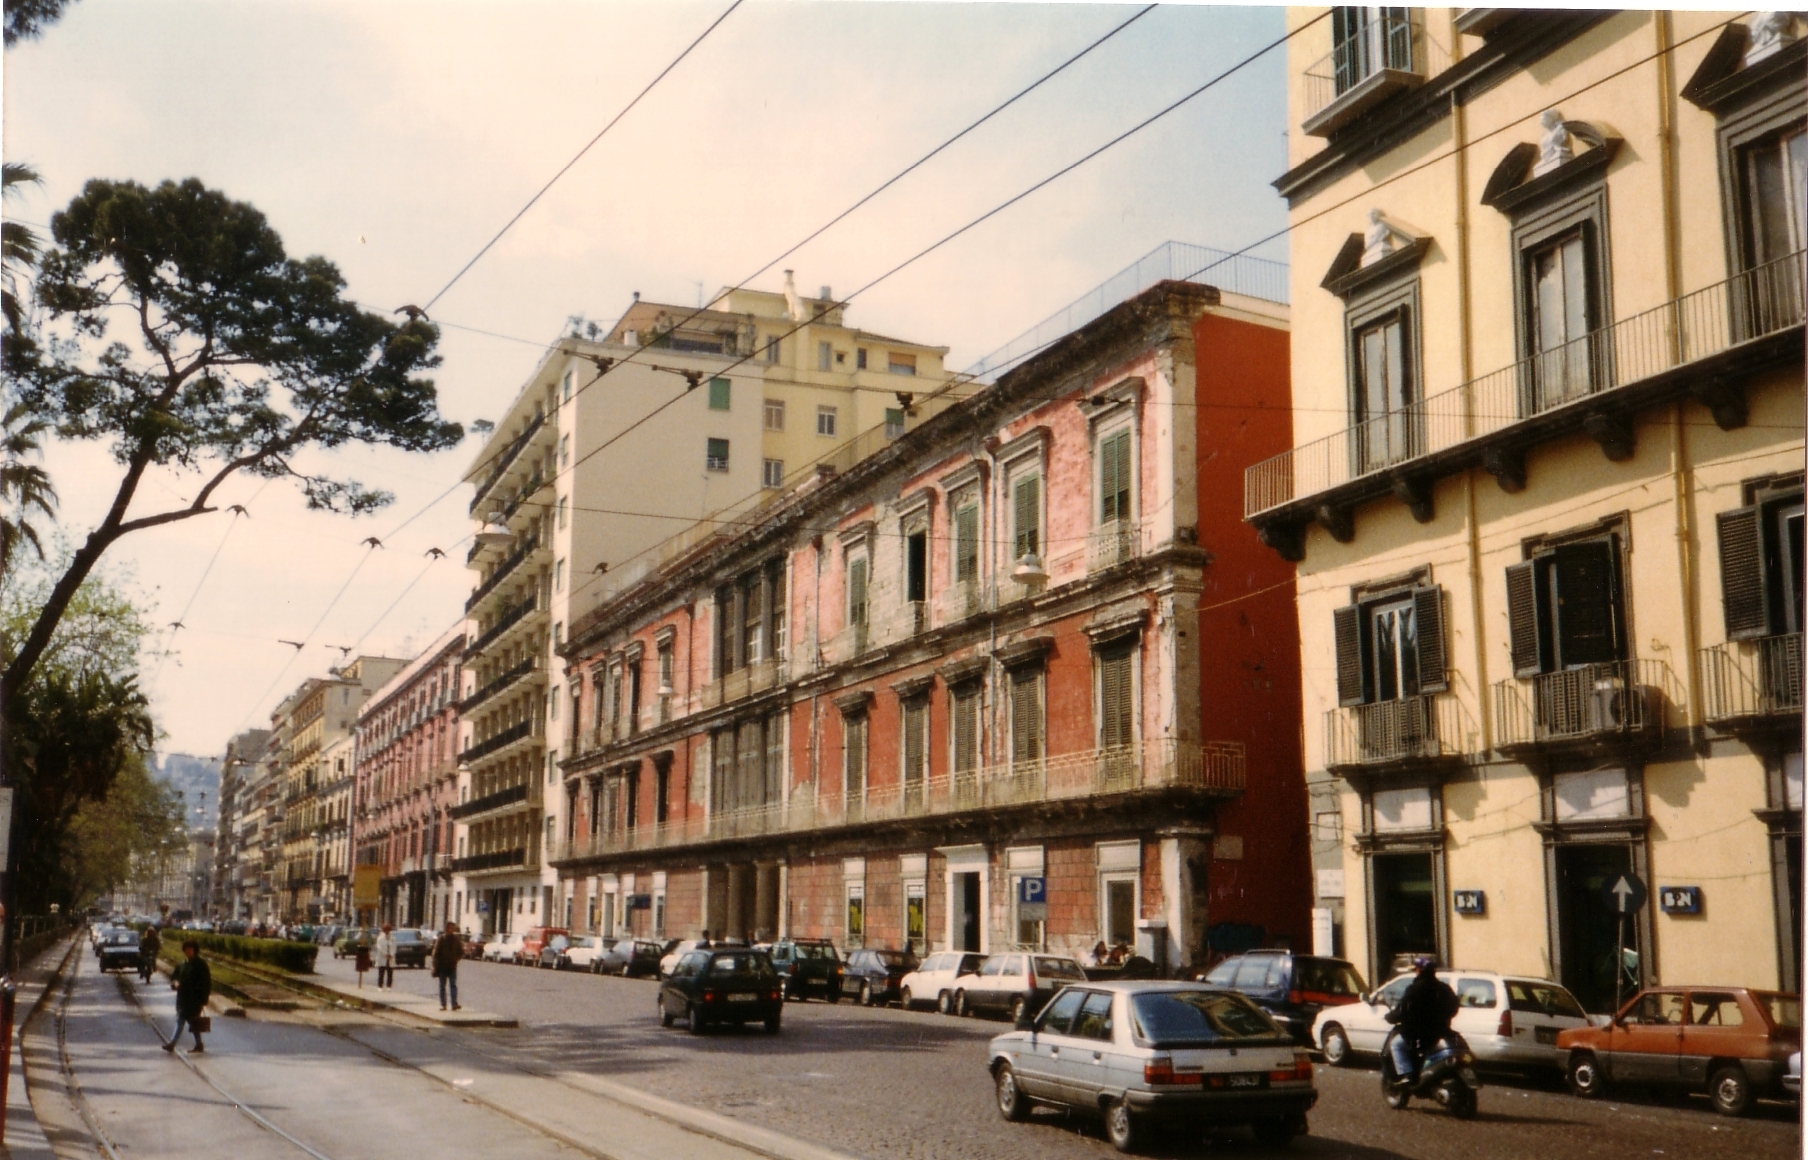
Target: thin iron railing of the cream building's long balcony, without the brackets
1708	323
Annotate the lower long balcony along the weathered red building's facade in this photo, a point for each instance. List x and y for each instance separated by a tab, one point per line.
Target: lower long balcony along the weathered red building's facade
1097	778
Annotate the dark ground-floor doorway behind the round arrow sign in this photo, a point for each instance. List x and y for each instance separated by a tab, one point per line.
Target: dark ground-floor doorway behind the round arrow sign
1590	931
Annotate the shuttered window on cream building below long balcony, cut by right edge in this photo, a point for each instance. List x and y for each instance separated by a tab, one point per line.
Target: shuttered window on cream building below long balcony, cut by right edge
1762	565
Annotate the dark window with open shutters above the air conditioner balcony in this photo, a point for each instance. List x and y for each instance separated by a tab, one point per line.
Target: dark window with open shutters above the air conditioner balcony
1565	608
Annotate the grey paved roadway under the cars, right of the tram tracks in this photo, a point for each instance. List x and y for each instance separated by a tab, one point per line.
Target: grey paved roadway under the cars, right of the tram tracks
907	1087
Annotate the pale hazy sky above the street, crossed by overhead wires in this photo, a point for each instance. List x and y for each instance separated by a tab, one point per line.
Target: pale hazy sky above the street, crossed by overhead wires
397	140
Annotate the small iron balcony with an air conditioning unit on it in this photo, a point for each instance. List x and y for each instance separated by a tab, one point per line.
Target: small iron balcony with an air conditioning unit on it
1594	707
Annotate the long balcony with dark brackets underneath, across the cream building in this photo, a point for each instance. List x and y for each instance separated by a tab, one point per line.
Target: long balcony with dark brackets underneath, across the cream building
1588	386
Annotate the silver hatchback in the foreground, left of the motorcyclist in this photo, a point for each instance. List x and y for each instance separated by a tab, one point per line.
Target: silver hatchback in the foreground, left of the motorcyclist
1149	1052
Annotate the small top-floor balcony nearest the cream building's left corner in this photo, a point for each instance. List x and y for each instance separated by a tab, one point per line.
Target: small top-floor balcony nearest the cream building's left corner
1389	55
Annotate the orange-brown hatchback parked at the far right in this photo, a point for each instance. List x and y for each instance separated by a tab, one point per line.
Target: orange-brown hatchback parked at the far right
1726	1042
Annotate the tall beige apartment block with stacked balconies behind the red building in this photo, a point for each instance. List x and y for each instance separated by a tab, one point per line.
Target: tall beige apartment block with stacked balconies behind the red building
623	451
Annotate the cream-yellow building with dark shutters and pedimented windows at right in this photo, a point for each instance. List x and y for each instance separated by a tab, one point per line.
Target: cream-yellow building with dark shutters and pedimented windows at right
1547	489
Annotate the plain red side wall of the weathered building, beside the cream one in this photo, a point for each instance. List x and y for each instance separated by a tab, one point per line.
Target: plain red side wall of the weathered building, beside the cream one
1250	633
